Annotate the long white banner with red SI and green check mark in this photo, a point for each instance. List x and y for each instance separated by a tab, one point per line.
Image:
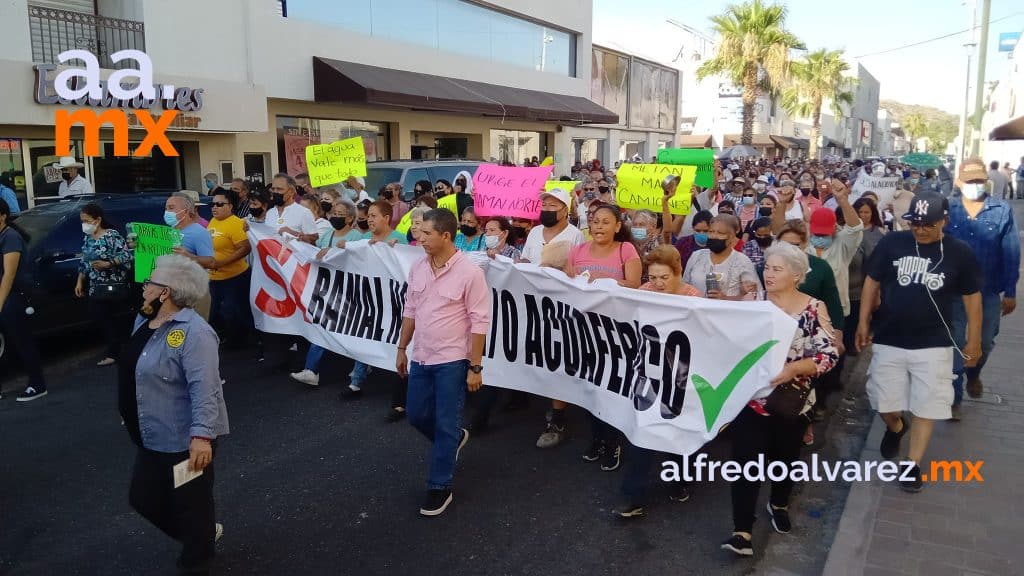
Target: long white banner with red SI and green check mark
668	372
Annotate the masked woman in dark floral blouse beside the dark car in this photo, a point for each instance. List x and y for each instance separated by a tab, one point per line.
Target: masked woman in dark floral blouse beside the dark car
107	261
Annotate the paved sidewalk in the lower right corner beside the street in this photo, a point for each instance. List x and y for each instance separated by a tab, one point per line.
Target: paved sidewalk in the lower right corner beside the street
950	528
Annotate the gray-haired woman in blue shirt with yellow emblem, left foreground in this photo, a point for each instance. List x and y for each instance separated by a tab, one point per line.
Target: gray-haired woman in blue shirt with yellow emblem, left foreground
170	398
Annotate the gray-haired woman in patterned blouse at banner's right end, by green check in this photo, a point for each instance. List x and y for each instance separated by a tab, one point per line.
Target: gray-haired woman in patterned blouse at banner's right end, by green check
774	427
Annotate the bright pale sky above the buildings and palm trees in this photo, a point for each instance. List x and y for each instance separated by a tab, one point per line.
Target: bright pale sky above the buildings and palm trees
932	74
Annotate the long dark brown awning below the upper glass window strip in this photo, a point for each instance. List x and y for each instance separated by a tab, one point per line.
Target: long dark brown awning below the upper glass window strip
336	81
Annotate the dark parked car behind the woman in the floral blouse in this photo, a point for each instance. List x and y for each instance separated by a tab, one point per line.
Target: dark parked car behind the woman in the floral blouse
55	253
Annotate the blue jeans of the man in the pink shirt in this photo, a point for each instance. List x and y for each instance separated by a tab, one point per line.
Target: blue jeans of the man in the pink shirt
437	396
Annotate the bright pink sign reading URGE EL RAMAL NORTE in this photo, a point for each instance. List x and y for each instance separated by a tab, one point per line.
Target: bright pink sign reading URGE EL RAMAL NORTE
509	191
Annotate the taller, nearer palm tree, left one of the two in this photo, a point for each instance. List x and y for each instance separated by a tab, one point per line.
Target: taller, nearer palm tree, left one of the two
753	52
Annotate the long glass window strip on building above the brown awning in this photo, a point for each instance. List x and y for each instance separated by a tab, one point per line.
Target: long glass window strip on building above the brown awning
455	26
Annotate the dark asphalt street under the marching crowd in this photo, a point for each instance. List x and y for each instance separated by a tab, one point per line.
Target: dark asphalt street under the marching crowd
307	484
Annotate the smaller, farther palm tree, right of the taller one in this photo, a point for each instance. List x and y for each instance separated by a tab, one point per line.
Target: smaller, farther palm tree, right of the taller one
817	78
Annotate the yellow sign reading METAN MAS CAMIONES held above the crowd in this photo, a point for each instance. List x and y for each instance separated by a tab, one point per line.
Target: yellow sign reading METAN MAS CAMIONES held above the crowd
639	187
